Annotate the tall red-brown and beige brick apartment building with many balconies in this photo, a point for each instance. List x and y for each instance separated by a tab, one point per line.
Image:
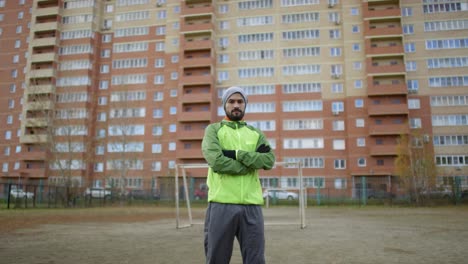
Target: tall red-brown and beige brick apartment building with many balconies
120	91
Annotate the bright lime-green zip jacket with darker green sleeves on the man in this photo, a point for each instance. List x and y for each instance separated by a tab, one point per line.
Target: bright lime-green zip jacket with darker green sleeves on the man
235	181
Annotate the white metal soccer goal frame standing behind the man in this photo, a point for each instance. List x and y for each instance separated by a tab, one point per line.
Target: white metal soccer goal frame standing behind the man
181	175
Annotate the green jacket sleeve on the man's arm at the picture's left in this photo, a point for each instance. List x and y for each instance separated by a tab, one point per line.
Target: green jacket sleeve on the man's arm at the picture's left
212	152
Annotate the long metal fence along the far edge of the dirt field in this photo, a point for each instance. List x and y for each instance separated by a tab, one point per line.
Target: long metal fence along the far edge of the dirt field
361	191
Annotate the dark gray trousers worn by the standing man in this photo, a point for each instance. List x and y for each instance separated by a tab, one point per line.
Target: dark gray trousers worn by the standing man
224	222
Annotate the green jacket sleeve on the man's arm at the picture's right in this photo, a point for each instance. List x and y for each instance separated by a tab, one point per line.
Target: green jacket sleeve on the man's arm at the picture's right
256	160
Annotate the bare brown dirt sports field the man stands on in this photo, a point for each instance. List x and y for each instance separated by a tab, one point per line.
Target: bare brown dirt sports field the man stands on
148	235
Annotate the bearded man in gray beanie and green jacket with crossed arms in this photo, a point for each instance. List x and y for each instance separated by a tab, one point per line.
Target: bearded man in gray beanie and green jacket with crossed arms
235	152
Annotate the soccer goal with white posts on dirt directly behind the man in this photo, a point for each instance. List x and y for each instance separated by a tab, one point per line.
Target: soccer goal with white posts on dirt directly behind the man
273	215
